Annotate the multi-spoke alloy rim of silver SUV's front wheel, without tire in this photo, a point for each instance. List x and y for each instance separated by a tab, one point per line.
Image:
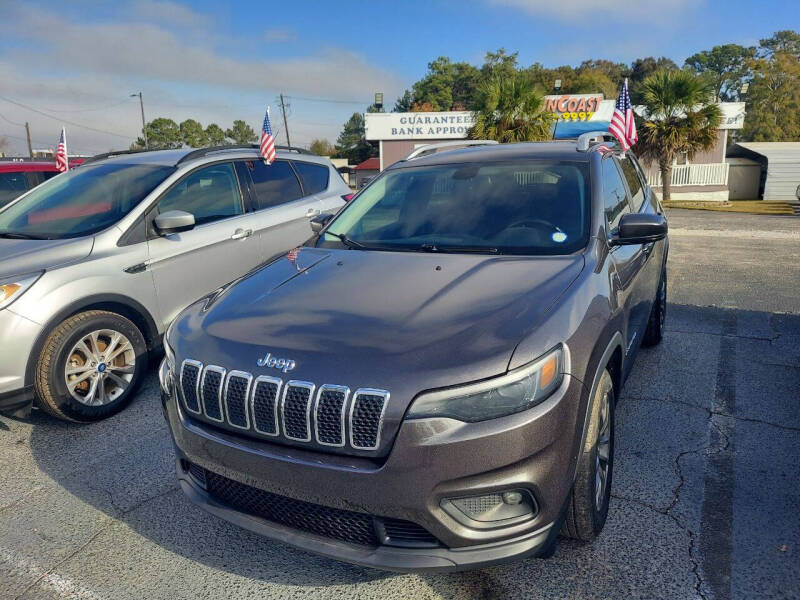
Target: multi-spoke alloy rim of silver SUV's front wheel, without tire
100	367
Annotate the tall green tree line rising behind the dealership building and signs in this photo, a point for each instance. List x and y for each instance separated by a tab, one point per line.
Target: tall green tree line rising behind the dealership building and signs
766	77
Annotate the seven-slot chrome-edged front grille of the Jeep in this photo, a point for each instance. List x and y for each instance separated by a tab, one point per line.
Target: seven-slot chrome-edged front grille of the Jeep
298	411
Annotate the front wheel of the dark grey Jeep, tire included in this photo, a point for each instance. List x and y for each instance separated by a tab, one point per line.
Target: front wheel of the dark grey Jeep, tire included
587	509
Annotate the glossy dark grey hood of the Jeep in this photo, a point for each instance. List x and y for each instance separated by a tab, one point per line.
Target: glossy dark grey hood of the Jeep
399	321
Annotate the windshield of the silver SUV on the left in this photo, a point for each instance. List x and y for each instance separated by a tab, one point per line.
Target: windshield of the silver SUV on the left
81	202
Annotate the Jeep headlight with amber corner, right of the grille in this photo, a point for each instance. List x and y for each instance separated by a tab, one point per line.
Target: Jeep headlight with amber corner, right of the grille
514	392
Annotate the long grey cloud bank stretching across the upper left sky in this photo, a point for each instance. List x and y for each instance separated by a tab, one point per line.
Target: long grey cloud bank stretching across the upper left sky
152	52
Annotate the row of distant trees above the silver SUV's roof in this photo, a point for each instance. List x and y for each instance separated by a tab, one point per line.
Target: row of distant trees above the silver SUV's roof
165	134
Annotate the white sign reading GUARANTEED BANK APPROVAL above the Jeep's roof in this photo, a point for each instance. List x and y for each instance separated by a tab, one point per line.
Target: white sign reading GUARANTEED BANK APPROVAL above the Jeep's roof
418	126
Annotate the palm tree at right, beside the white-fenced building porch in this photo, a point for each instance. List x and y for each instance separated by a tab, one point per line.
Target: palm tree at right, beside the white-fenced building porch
680	118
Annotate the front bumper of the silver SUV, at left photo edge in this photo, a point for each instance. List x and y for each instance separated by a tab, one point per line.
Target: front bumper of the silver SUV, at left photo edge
17	339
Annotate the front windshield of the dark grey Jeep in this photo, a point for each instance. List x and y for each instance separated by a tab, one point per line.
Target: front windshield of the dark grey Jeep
530	207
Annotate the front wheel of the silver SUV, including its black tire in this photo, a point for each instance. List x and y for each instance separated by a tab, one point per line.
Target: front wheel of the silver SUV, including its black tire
93	389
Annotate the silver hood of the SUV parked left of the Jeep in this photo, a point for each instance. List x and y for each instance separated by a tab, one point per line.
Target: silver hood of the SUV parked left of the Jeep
18	257
